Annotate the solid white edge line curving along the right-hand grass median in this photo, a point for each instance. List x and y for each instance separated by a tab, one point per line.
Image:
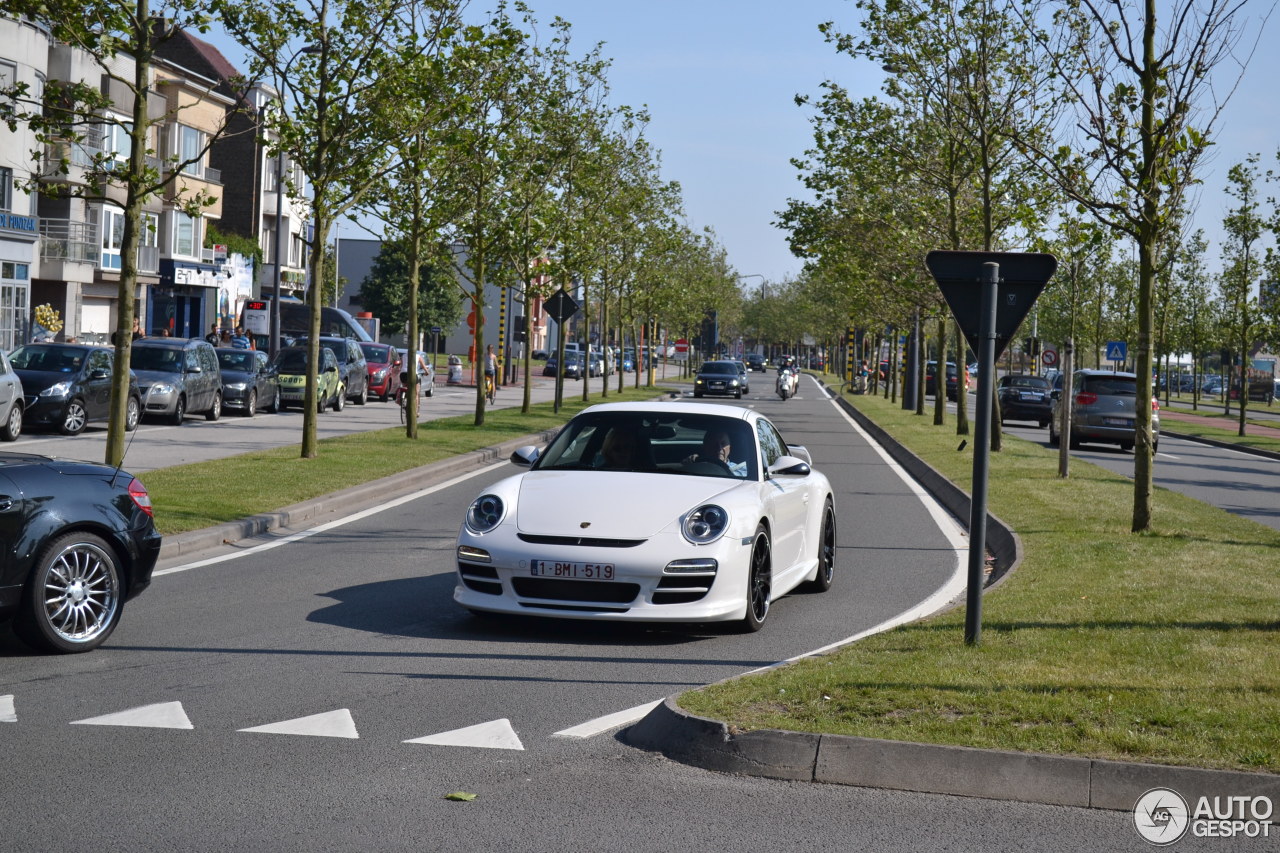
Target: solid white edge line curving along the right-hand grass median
940	599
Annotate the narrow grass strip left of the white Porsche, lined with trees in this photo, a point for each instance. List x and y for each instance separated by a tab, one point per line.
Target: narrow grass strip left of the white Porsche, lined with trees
189	498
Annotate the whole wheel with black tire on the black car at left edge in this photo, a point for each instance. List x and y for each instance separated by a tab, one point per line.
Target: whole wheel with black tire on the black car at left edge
74	599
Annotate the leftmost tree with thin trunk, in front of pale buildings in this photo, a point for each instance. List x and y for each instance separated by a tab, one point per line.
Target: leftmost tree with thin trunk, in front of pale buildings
122	40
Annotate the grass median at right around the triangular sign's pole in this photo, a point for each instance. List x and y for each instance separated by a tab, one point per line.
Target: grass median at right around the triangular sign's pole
1159	647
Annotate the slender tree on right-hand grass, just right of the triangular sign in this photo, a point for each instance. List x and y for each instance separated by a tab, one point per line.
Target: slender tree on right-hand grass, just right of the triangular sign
1142	115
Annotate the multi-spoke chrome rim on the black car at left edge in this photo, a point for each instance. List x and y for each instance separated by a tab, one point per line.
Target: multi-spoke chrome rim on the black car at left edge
81	594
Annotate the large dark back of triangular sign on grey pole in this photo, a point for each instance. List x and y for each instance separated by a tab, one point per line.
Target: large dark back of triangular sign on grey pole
1022	279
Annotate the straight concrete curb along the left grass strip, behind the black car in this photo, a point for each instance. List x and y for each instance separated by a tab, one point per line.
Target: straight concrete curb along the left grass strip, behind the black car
358	498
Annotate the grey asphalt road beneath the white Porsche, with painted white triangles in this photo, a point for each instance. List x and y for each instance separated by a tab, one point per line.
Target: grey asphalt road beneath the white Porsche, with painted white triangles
349	642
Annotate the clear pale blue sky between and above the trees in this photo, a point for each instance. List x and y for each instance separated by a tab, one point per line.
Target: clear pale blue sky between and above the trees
720	79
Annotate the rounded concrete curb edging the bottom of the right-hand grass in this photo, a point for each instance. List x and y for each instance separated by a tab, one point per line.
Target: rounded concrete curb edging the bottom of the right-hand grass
931	769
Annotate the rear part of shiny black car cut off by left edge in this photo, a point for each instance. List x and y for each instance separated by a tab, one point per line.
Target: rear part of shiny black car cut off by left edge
79	542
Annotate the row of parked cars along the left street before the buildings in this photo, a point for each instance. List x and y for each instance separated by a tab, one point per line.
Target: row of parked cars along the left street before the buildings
68	386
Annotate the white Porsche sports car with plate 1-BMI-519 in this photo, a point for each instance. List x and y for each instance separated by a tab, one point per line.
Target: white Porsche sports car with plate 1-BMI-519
665	513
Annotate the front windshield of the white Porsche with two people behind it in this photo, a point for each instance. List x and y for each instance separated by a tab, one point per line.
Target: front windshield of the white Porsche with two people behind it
689	445
